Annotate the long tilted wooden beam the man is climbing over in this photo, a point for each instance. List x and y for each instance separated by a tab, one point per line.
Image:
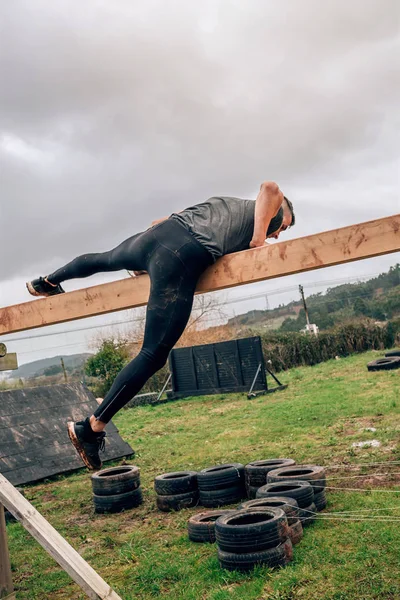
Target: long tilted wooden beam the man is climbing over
326	249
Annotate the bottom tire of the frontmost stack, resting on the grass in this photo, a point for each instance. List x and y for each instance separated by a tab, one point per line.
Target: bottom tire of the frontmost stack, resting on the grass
272	557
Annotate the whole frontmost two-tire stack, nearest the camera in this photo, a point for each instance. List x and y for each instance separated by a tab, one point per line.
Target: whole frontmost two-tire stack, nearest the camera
246	538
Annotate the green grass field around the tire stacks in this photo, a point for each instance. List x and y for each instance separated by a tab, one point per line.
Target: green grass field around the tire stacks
145	554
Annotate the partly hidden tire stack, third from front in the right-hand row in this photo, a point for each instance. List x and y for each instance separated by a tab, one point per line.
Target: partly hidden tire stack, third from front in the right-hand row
301	491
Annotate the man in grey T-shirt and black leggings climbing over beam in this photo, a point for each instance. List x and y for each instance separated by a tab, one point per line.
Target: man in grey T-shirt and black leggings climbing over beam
174	252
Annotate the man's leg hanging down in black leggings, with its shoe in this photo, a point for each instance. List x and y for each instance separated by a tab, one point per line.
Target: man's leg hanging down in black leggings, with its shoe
168	311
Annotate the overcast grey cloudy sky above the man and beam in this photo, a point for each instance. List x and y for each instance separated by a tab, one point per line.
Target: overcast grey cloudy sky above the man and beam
117	112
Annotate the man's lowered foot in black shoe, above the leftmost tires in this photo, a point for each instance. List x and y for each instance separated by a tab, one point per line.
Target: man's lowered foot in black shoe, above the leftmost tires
87	442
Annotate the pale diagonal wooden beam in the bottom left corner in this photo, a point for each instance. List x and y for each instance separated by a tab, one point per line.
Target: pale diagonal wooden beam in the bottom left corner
81	572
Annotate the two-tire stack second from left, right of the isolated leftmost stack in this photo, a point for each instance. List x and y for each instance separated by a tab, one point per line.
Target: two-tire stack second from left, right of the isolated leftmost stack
176	490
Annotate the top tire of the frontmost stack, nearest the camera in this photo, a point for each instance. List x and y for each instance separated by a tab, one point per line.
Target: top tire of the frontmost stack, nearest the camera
244	531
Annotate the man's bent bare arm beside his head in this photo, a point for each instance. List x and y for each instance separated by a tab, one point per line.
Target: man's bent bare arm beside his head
268	203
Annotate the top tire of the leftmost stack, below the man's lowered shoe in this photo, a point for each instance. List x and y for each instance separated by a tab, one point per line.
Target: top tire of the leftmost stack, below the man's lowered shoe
116	480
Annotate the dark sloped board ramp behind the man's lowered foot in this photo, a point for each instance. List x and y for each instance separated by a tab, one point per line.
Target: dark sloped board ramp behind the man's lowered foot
34	443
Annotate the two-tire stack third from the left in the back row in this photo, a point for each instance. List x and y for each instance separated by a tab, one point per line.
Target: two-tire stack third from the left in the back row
221	485
